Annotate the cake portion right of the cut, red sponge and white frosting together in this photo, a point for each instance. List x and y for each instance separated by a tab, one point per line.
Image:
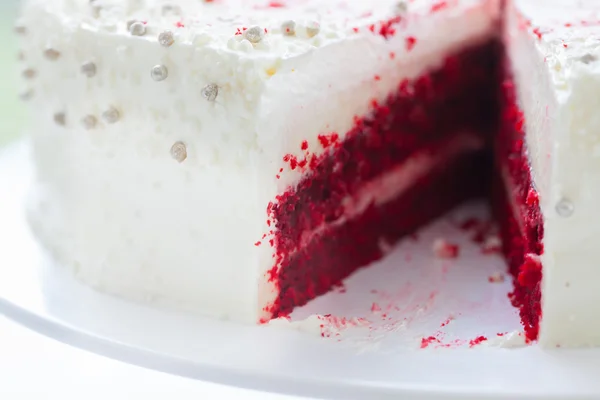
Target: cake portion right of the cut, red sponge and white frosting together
551	100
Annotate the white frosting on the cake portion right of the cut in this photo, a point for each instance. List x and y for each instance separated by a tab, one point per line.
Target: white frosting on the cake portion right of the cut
559	94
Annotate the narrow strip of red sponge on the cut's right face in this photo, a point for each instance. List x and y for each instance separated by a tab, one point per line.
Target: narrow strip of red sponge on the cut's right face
517	209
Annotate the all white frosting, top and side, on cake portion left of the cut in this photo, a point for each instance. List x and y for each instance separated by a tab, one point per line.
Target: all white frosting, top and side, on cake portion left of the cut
131	220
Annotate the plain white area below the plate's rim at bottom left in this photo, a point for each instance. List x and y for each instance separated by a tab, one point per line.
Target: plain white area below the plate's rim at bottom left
35	367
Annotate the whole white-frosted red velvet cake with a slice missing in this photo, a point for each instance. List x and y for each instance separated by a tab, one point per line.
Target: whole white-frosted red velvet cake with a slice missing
240	158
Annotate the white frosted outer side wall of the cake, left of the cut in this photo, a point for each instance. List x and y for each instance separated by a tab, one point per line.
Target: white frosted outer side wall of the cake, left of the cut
143	184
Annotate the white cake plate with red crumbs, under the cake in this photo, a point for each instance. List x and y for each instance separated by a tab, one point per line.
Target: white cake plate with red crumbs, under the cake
372	341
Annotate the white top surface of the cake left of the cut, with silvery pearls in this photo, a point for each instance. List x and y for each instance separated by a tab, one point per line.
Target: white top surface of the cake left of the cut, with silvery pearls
283	27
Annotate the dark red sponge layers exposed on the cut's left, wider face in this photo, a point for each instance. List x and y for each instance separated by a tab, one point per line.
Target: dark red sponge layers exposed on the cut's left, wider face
421	116
